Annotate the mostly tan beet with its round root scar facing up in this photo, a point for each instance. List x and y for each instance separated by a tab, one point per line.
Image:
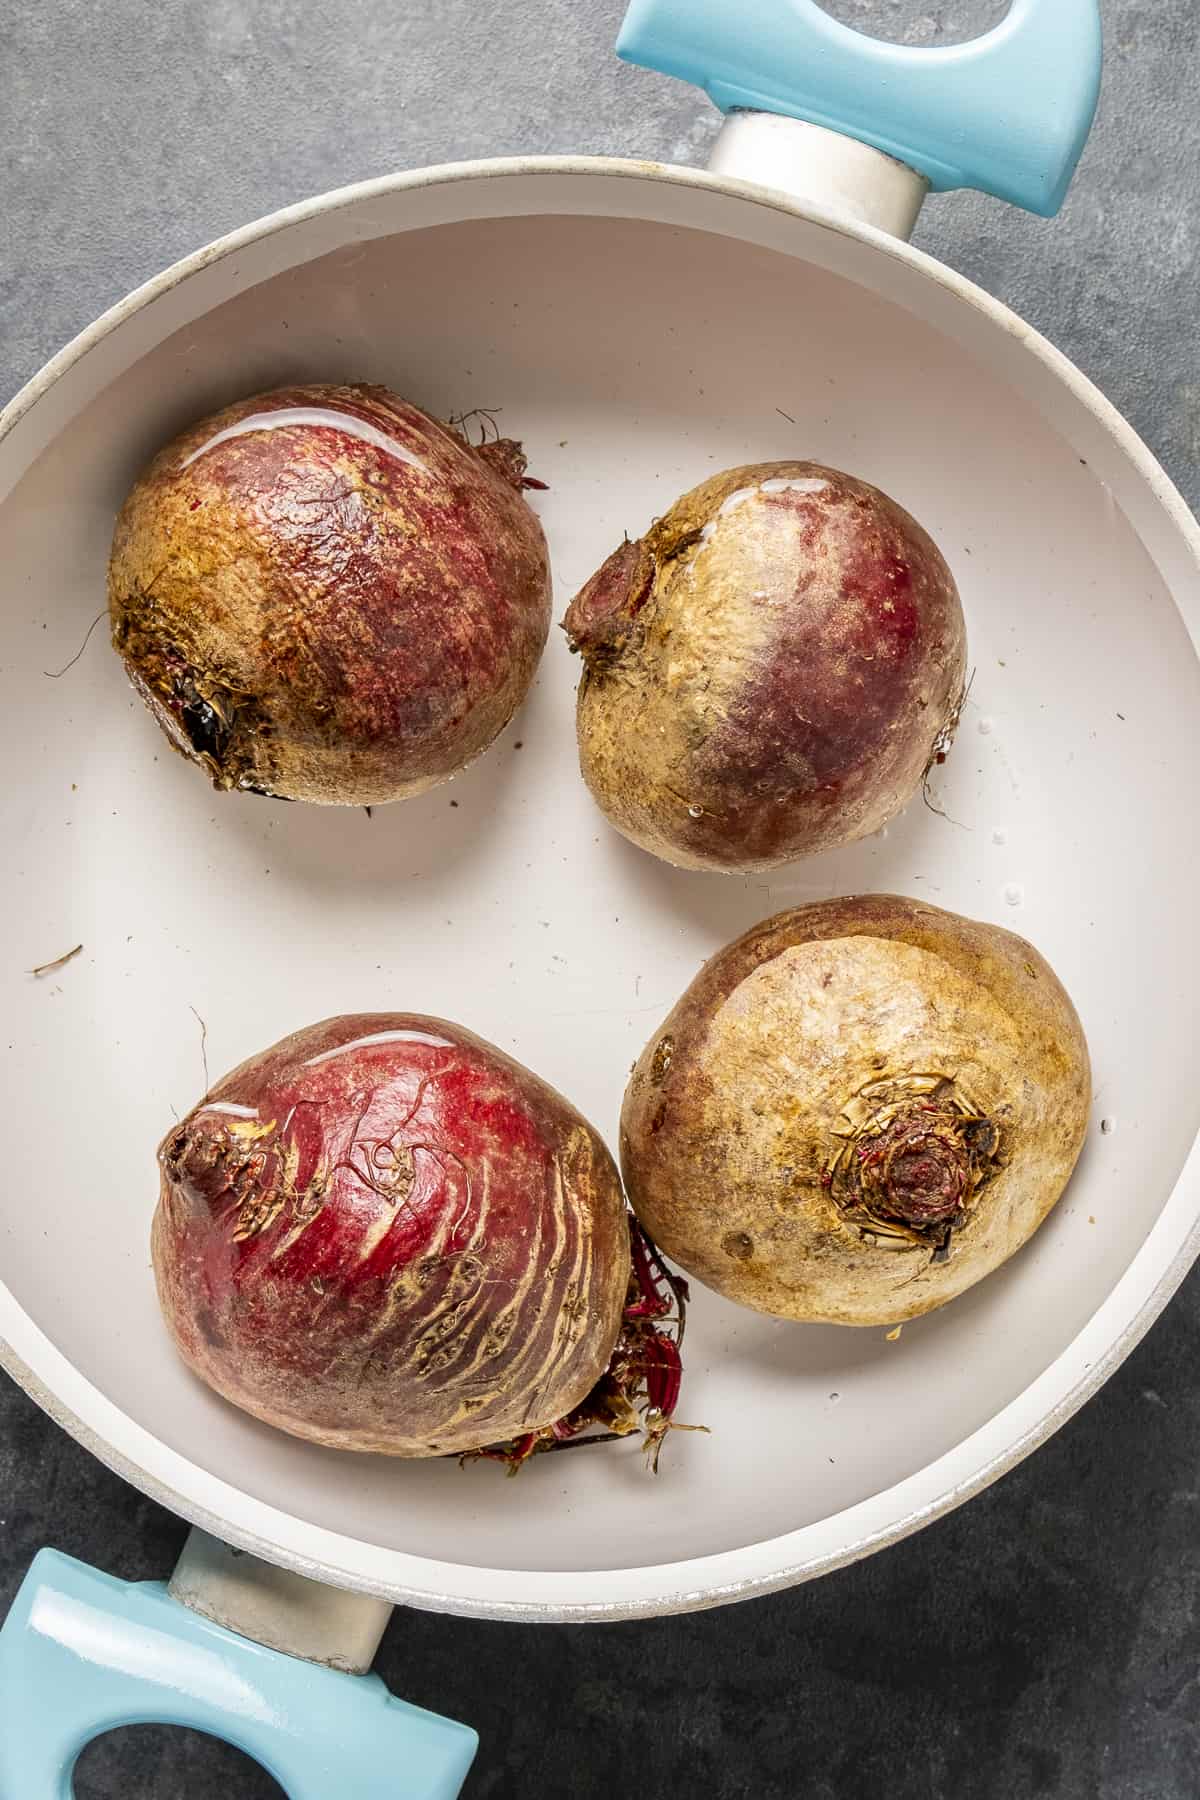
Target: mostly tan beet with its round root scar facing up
857	1111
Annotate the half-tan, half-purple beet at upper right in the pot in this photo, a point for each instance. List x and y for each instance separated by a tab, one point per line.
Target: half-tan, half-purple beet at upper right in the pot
769	672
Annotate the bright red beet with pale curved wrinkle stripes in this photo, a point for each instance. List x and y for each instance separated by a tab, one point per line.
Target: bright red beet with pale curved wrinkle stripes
409	1246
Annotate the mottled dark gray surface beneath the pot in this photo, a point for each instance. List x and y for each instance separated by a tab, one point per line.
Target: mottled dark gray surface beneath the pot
1048	1639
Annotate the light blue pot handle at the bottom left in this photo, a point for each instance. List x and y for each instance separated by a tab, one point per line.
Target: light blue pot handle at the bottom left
82	1653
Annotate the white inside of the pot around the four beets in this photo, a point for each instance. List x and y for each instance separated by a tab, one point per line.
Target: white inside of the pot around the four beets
632	359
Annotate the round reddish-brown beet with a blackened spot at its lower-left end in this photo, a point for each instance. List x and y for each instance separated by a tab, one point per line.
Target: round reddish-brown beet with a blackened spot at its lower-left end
327	595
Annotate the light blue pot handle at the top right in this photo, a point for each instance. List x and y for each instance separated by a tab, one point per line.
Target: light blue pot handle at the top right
1008	114
